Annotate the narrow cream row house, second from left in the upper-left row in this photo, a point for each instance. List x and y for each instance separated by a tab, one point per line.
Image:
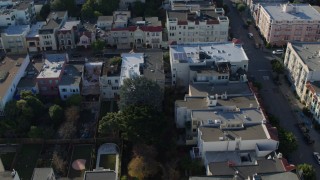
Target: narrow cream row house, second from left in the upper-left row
32	38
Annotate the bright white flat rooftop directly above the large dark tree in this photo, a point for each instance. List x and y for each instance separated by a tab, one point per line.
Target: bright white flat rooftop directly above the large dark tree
131	65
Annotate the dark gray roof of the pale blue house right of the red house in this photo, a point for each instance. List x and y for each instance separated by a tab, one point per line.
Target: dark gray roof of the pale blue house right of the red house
72	75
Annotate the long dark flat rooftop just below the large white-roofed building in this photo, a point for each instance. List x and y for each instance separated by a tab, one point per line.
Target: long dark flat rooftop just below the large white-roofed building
231	89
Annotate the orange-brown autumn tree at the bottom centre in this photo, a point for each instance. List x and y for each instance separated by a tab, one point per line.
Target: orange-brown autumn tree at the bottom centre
142	167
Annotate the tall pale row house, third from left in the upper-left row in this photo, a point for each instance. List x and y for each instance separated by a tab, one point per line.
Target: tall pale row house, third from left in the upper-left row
47	34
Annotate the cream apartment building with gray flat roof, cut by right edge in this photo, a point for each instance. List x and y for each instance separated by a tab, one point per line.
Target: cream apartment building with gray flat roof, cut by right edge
302	64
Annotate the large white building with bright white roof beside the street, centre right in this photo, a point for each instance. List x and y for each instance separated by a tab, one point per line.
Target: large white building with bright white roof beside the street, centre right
217	62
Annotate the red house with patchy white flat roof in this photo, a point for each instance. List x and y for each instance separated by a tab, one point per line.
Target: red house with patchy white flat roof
51	73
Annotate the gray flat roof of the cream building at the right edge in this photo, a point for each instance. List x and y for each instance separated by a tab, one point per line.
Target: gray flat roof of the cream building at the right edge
309	54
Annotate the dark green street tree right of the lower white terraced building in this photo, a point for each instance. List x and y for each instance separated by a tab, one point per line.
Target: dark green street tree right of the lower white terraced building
288	142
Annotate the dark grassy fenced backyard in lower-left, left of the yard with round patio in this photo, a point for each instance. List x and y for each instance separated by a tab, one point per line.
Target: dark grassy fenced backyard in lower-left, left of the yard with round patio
26	160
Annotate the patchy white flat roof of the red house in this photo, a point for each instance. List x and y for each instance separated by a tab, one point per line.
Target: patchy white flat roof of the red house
52	66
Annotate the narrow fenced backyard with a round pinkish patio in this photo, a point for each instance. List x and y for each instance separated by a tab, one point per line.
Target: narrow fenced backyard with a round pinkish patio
80	160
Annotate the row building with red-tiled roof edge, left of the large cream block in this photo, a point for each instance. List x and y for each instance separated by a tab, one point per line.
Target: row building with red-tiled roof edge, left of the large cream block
141	34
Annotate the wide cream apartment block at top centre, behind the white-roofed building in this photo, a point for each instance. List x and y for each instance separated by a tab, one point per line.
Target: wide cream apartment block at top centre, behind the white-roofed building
199	26
